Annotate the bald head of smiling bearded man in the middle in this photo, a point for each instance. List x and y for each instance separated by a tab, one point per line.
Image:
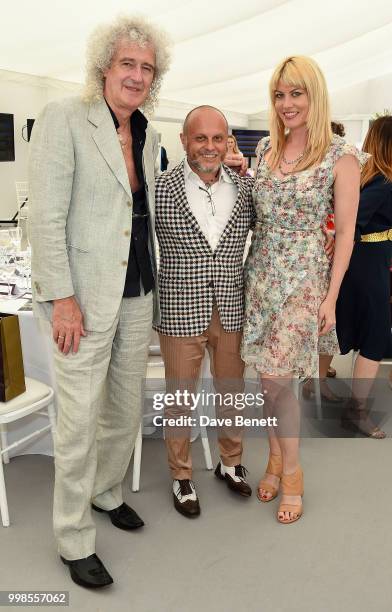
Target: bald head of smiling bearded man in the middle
204	139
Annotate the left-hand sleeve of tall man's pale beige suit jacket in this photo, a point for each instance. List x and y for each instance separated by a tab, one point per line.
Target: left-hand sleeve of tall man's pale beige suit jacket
51	171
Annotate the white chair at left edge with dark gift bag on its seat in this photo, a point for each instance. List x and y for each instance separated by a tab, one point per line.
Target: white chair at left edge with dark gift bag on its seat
35	399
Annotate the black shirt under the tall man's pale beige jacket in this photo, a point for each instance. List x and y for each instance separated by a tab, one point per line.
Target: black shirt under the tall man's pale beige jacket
139	267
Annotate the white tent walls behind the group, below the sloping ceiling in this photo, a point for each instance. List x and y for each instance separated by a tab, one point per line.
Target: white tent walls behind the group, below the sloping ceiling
25	95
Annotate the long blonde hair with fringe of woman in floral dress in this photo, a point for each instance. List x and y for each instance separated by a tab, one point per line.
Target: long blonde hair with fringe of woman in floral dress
303	72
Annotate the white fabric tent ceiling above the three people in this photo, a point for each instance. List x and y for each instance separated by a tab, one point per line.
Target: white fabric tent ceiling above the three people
224	50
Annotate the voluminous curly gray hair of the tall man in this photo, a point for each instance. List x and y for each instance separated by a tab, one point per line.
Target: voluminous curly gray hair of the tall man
102	46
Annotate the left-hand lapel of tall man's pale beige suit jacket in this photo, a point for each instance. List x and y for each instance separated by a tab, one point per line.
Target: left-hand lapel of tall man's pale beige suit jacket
107	142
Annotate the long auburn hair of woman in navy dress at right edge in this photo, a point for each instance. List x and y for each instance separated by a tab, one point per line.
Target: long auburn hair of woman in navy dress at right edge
378	143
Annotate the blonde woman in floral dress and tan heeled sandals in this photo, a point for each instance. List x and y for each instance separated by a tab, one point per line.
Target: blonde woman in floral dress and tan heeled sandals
303	173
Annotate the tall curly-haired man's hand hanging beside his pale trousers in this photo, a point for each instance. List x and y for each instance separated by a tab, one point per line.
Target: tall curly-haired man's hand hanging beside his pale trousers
67	324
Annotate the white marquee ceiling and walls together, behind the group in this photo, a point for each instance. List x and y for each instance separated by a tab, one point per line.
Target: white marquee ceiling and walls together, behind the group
223	54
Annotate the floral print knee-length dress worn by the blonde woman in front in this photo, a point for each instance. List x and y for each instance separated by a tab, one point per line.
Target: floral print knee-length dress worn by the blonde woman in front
287	272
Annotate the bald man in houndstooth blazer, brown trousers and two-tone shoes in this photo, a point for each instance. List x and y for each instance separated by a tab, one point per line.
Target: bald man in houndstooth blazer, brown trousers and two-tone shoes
203	215
